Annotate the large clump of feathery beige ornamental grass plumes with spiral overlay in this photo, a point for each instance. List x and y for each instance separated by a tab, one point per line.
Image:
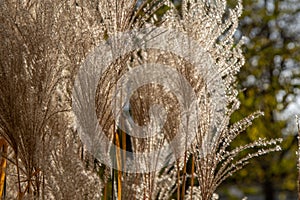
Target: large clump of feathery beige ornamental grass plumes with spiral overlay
120	99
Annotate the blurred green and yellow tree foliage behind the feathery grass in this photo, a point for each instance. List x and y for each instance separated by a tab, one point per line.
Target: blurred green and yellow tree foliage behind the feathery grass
269	82
